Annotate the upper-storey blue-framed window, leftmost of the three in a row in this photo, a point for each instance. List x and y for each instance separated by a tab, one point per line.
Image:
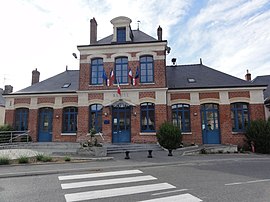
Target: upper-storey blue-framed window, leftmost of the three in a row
97	71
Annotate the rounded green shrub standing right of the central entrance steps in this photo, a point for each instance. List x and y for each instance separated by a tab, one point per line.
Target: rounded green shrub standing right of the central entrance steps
169	136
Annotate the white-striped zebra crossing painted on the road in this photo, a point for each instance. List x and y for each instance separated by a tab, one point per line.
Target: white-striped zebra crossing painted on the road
118	178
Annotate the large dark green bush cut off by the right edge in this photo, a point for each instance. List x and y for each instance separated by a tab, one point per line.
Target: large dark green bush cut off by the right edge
258	134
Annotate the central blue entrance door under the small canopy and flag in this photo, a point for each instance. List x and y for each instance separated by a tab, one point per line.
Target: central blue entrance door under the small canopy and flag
121	123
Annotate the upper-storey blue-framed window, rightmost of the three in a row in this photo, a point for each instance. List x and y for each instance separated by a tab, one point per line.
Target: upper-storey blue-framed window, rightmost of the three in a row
146	69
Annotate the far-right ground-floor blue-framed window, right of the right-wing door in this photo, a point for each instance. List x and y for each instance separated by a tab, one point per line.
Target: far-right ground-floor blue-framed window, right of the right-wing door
239	116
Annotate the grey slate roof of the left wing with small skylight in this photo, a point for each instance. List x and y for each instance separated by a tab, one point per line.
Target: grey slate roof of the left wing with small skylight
55	84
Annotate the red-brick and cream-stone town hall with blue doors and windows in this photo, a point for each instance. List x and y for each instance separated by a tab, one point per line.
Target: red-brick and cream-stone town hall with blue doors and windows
125	90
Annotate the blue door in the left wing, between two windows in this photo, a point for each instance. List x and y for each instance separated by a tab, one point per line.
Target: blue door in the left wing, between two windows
45	125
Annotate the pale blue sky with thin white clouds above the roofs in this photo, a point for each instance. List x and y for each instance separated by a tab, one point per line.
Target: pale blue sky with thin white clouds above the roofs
229	36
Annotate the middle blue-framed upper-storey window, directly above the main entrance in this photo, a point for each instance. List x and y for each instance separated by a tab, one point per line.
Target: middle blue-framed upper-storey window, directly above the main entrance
121	70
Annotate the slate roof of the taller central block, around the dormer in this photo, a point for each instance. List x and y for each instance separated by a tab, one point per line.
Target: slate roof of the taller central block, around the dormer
138	37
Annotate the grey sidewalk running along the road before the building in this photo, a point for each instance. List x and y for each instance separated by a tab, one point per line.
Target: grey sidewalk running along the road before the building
137	160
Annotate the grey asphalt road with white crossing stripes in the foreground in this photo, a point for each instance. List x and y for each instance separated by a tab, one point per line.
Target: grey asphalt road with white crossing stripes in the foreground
228	180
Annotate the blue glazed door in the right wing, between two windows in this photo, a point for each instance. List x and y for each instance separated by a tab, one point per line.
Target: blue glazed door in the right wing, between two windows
210	124
